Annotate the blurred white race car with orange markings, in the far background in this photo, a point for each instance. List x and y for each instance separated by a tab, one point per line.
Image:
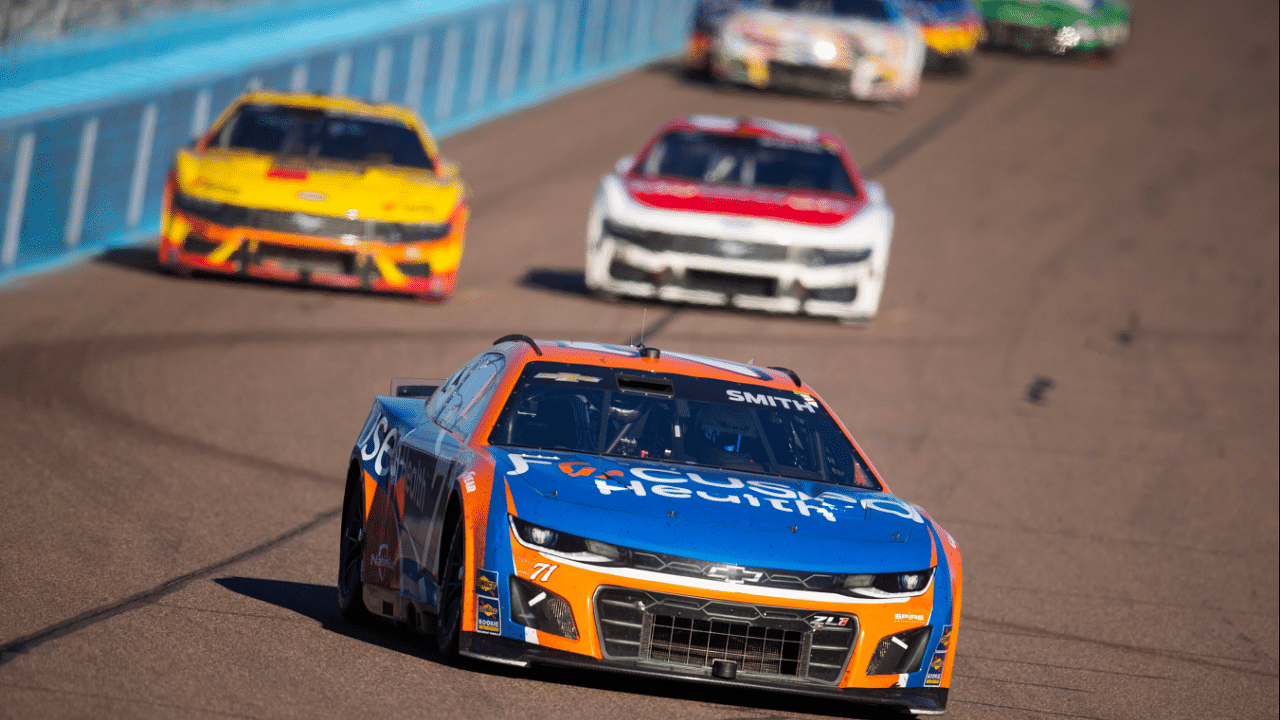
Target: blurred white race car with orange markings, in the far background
865	49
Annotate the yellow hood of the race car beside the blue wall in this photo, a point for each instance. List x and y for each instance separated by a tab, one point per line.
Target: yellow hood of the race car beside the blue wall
388	194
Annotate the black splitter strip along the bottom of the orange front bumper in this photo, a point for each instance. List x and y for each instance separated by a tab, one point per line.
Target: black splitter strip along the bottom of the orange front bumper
924	701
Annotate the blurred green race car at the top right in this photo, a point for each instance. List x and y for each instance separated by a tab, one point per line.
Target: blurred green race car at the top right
1057	26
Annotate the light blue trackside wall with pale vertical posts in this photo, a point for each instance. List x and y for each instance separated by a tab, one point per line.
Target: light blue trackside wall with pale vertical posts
84	158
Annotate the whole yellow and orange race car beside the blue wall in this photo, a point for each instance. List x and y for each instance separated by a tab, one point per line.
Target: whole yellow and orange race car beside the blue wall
318	190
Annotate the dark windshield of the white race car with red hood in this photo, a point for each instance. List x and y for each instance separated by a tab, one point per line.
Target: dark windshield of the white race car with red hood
747	162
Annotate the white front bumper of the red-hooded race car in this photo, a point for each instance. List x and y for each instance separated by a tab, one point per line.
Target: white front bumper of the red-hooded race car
783	285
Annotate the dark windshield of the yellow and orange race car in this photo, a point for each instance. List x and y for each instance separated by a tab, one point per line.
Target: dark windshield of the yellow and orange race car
314	134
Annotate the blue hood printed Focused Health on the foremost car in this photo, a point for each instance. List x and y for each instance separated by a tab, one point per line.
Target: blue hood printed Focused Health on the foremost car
716	516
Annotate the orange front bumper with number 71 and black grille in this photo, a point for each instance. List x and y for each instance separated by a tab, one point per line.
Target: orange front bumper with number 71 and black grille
685	625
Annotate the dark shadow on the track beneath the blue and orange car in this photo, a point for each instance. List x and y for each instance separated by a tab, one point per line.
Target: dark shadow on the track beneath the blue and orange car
321	604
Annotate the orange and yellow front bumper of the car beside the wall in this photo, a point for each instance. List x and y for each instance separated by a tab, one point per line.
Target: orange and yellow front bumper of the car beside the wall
426	270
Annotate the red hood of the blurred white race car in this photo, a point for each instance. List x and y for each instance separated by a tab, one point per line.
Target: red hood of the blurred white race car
796	207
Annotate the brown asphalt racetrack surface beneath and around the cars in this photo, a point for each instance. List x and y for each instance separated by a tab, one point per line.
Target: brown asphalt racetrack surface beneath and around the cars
1075	371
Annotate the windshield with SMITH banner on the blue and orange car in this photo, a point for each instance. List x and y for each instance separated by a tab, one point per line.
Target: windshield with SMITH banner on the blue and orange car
679	420
